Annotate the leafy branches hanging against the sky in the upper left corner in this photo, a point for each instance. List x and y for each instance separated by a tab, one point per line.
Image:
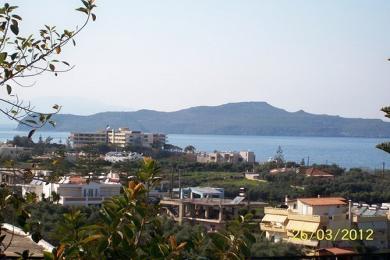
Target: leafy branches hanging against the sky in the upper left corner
24	57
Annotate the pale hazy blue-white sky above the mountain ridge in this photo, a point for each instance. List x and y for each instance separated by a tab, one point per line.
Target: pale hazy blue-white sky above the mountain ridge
325	57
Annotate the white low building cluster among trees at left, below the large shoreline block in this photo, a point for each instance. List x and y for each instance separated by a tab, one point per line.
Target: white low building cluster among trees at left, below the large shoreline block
77	190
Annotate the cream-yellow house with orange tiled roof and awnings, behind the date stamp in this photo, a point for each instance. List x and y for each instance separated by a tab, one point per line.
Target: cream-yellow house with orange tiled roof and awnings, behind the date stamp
304	217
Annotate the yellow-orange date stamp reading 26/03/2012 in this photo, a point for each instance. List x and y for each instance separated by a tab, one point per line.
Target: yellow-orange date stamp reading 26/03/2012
335	234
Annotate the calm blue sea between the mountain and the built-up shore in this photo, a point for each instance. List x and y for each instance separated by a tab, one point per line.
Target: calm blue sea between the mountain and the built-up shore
348	152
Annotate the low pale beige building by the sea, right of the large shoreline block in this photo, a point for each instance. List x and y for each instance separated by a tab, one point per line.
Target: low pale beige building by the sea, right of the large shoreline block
226	157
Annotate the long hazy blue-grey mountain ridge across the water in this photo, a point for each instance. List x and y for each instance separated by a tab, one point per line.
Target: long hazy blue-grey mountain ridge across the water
245	118
